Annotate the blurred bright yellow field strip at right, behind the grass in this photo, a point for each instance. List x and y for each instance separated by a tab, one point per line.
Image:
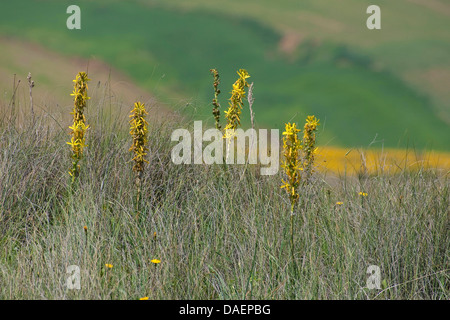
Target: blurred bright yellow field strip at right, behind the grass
352	161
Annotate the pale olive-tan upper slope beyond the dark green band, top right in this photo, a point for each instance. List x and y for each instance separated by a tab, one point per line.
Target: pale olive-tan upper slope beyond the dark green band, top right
414	42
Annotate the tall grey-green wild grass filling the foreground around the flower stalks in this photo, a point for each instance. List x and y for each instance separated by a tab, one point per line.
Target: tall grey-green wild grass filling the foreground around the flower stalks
217	237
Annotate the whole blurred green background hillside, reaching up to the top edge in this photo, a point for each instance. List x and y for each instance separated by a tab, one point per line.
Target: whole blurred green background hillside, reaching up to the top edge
355	85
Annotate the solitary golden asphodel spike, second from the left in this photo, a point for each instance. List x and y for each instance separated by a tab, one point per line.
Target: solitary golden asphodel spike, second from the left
138	131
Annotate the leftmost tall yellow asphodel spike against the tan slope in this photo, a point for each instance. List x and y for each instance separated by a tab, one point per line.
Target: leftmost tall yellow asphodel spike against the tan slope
79	127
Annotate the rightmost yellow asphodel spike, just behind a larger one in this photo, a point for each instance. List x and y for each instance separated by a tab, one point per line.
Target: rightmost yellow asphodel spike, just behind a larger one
309	145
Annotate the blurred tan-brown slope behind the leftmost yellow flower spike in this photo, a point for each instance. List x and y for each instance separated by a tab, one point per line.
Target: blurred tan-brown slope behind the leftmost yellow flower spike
52	74
